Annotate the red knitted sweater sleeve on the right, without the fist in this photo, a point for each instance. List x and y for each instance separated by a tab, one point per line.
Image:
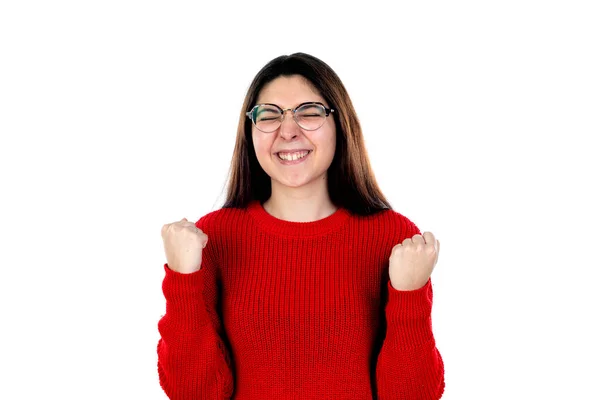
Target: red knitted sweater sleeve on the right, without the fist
409	365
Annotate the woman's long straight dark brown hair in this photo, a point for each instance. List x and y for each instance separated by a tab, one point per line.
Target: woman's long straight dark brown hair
350	180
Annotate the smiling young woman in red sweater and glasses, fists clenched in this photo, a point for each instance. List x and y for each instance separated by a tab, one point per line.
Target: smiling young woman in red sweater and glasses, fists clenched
306	284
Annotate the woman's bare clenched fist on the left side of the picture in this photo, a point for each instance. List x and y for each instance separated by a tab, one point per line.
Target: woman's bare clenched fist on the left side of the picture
183	246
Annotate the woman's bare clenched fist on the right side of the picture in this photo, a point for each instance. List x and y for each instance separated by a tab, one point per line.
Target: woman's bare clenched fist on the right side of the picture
412	261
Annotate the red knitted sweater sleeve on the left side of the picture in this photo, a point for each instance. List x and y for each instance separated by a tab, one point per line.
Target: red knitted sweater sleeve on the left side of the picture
193	361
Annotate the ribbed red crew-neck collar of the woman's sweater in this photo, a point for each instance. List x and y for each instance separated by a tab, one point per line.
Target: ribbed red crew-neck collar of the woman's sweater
297	229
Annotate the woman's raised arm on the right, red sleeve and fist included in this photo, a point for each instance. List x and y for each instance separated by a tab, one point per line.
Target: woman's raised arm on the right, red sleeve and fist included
409	365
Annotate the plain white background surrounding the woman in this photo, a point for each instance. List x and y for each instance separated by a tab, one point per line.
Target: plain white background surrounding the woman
480	120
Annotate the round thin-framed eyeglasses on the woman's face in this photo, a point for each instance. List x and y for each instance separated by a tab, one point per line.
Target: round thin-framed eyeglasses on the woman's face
309	116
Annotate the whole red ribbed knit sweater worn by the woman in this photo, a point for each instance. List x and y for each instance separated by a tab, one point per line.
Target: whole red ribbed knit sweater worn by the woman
297	310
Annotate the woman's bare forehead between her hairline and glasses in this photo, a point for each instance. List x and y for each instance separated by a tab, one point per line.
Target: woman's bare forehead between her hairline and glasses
289	91
